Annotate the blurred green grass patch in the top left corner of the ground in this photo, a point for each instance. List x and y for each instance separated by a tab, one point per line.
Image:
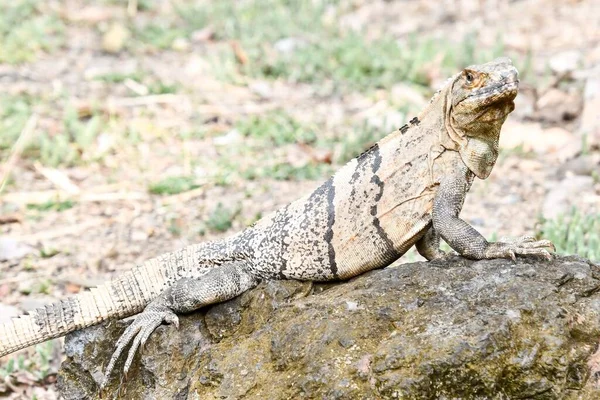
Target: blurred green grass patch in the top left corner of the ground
27	28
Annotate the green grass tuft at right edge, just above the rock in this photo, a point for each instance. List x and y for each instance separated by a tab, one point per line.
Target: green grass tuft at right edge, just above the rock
574	233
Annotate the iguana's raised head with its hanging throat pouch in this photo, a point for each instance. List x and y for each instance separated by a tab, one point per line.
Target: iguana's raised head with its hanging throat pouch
480	99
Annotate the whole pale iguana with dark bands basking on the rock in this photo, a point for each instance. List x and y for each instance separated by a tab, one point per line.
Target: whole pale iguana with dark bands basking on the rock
408	189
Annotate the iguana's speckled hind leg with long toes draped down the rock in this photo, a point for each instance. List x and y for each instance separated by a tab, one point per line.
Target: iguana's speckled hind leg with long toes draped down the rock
187	294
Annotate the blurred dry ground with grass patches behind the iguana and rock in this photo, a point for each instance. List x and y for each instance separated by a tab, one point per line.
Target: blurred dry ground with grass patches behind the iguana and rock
131	128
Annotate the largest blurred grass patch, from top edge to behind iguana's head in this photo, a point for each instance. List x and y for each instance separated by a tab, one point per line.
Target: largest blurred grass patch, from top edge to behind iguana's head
320	50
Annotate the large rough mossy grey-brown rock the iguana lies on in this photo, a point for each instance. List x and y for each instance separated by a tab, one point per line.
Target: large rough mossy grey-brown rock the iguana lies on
452	328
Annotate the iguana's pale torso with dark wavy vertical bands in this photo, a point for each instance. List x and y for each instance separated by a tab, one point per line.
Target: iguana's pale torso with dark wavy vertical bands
365	216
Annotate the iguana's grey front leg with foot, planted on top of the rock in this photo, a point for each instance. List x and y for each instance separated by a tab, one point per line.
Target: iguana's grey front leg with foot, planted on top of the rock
462	237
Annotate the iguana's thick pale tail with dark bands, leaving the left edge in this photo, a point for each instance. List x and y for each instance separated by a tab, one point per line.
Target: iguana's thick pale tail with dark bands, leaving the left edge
125	296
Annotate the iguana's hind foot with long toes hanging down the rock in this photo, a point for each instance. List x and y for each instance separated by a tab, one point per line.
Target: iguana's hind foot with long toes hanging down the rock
139	331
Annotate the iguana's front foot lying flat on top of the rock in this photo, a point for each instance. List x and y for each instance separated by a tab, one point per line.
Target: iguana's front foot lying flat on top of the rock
525	245
